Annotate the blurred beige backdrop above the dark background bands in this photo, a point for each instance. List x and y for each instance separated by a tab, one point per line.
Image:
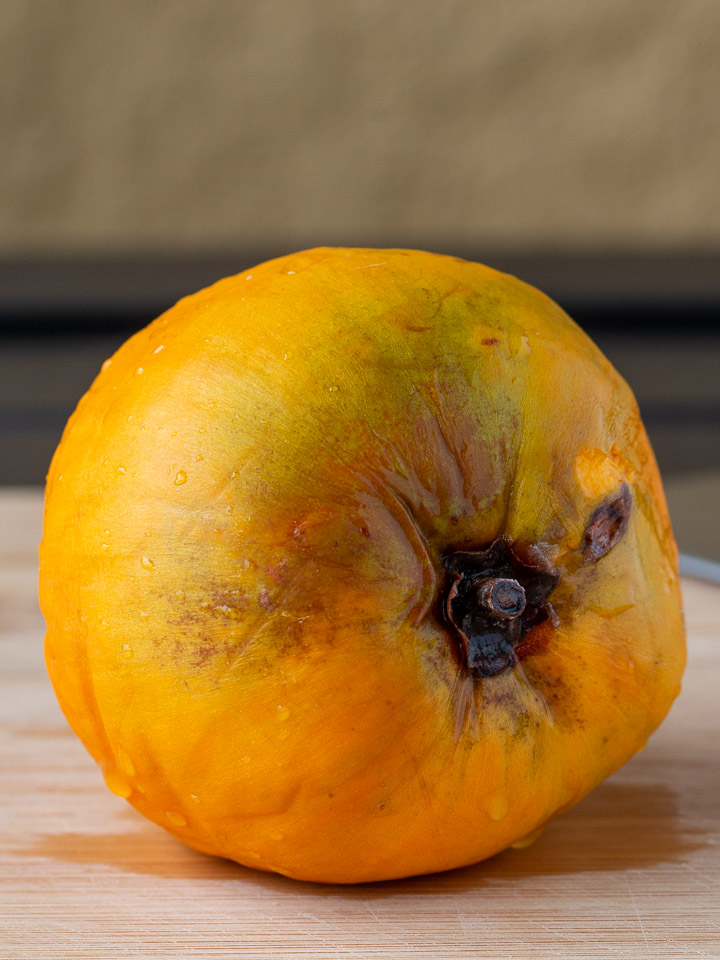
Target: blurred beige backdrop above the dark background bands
189	125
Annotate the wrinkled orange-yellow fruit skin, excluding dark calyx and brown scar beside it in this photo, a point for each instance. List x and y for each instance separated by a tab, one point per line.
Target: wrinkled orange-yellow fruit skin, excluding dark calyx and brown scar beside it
241	566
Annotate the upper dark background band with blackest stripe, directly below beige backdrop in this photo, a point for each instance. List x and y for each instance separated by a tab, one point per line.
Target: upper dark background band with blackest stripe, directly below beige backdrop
659	291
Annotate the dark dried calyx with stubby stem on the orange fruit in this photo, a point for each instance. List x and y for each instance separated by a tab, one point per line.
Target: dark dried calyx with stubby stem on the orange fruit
492	599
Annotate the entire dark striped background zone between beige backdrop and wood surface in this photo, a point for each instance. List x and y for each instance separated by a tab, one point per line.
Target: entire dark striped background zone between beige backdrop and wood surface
656	316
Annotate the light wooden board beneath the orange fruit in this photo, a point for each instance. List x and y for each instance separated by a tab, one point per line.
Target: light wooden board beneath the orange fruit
633	871
